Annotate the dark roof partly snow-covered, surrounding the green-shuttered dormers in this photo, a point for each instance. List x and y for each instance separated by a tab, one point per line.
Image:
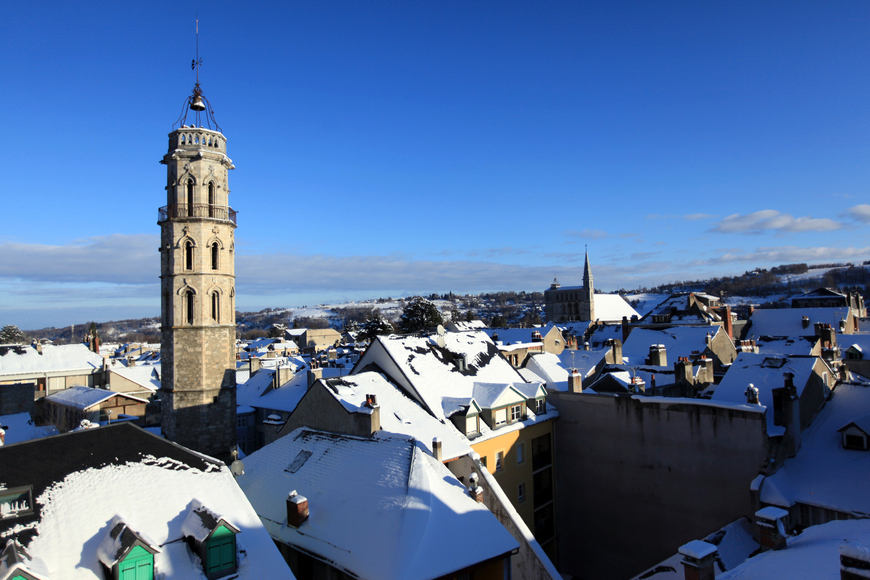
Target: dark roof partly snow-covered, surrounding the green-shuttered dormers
122	470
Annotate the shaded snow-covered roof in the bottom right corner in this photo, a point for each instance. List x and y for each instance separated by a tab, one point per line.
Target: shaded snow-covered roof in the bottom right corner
815	553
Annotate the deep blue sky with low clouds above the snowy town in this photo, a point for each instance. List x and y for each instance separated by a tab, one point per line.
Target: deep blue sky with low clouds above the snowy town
395	148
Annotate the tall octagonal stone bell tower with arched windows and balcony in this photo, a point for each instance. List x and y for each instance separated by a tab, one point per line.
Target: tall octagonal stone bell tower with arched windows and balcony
197	274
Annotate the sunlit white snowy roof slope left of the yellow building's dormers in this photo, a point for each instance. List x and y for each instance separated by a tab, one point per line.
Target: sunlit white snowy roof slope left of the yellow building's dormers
399	413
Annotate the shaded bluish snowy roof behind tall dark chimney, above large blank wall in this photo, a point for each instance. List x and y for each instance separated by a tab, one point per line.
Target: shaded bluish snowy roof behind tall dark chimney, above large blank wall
766	373
